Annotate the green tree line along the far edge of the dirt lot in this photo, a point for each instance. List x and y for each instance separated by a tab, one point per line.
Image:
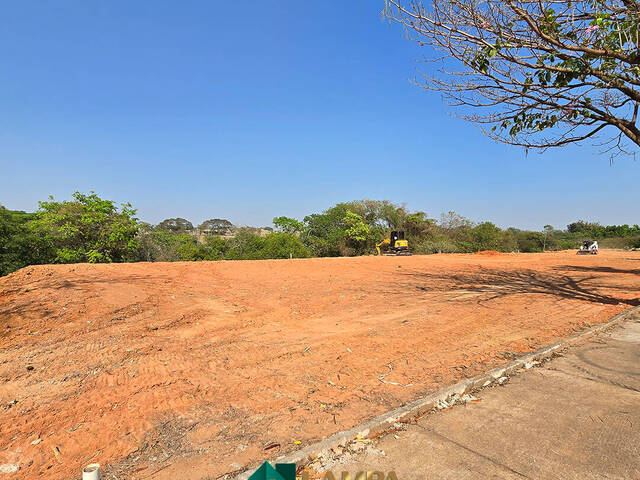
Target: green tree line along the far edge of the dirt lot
90	229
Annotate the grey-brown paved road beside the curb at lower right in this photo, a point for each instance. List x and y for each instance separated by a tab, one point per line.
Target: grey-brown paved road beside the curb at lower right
576	417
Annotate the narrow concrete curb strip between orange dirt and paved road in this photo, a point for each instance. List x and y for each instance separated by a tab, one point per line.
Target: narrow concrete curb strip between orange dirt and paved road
423	405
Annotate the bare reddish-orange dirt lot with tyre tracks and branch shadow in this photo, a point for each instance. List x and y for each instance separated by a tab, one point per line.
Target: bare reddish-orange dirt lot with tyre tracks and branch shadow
192	370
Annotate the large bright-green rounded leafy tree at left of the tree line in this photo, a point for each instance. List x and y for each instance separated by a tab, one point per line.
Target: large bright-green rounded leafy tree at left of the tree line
88	229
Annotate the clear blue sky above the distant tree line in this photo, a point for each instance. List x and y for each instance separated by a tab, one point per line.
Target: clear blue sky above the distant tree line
250	110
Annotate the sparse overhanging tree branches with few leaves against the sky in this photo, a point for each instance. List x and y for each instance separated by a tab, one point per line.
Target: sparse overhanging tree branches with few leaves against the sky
535	74
